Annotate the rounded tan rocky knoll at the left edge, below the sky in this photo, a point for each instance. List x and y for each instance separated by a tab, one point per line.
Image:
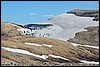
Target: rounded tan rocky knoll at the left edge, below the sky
9	29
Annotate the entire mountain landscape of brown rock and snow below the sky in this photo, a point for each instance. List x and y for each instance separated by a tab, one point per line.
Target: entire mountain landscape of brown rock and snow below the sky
30	45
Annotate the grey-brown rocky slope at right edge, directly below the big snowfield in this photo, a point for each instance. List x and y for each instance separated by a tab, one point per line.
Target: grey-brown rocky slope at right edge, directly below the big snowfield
89	37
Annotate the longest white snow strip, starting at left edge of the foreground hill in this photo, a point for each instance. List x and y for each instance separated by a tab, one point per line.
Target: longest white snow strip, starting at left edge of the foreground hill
24	52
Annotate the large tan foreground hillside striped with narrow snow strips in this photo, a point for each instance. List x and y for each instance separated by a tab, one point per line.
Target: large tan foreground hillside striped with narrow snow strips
42	50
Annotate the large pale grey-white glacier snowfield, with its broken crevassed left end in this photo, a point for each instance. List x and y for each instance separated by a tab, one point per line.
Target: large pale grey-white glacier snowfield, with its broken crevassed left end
64	26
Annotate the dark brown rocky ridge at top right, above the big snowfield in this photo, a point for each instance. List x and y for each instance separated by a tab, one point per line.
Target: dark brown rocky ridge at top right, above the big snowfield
86	13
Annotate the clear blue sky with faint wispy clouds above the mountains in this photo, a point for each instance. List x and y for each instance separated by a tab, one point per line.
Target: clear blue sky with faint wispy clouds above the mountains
26	12
